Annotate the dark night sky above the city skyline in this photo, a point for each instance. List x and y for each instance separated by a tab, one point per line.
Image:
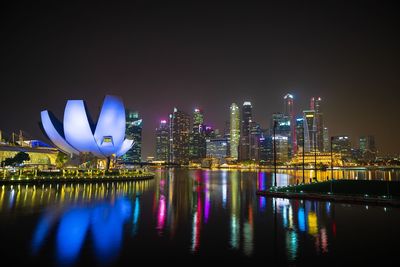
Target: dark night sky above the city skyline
199	53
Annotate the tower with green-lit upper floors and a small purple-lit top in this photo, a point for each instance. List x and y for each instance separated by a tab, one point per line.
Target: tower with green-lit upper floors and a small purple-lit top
197	143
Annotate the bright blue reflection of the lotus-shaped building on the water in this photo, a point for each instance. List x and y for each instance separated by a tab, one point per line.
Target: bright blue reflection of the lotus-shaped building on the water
105	221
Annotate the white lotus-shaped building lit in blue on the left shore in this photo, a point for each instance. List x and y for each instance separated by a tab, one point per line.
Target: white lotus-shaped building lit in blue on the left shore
77	134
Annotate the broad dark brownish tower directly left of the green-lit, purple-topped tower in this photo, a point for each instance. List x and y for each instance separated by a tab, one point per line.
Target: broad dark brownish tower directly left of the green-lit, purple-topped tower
180	128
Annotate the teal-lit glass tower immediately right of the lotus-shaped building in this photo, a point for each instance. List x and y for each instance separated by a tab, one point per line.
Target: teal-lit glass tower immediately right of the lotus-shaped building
133	132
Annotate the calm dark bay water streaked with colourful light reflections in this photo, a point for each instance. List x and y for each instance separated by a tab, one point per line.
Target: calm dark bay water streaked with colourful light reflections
191	216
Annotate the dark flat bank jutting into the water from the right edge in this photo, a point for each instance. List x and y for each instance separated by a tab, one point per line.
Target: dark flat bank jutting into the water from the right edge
368	192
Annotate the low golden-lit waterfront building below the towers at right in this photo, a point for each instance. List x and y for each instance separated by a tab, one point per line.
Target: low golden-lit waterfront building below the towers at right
322	158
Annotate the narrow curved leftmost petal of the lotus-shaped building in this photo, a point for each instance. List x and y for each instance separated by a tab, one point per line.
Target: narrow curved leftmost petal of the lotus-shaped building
54	135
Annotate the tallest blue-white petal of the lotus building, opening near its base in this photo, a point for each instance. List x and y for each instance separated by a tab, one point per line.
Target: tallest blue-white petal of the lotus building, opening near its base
110	128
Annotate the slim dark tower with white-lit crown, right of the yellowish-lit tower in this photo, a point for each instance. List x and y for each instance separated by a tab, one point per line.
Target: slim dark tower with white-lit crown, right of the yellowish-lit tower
244	143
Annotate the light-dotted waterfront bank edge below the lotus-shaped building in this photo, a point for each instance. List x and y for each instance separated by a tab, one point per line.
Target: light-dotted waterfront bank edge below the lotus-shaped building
60	179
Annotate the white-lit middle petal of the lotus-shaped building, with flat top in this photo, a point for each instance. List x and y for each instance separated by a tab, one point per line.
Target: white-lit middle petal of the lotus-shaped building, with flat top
77	129
